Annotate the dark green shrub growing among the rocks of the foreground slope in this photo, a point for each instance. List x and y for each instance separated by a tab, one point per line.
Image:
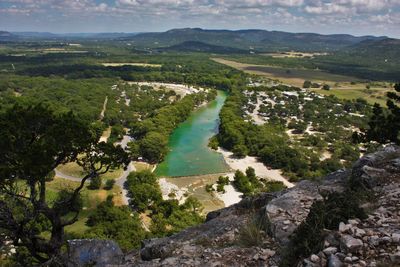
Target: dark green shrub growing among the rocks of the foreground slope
308	238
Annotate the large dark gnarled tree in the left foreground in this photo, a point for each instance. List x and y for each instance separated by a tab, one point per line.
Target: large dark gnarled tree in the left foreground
33	142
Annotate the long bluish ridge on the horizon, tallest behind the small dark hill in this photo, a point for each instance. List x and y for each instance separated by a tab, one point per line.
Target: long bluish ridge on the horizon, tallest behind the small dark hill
259	40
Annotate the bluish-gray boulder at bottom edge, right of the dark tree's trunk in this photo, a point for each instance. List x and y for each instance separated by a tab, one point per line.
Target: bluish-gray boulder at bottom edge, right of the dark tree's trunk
85	252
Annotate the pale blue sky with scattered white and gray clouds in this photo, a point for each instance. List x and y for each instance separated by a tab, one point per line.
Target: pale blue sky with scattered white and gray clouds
359	17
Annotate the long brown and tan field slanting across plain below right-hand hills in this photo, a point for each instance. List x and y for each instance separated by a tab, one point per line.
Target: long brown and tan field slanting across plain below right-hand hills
291	76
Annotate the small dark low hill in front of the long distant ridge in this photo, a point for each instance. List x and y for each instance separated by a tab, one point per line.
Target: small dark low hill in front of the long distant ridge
195	46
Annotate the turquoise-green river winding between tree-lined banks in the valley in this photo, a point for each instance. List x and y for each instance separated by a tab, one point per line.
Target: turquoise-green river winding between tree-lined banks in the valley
189	152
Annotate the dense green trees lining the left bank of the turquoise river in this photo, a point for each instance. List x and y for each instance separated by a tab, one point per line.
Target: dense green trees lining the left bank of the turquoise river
151	135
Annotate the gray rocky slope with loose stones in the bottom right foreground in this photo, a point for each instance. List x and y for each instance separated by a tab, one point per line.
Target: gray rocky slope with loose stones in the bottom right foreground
254	231
